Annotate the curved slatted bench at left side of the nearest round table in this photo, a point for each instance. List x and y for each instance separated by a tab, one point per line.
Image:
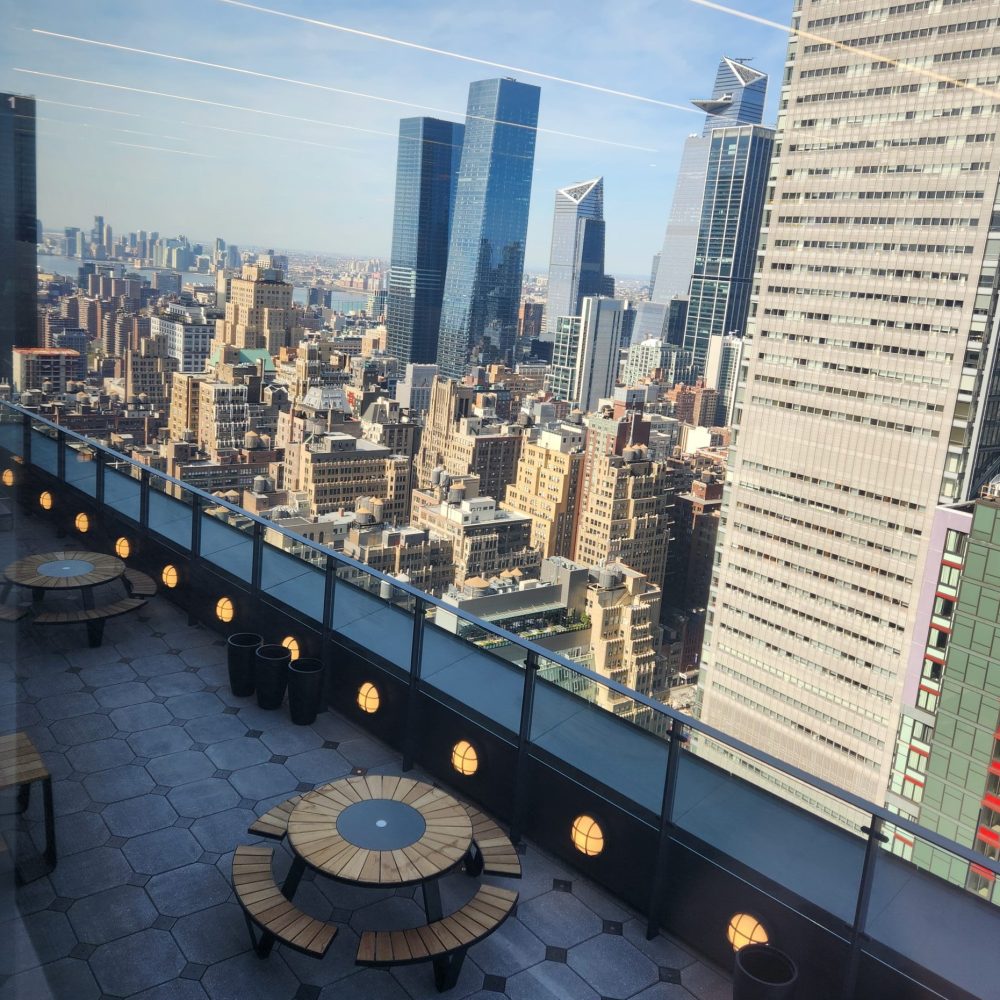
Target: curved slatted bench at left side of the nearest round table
265	906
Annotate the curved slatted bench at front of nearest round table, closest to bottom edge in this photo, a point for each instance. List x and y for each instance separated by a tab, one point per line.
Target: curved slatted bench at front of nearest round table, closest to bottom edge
443	942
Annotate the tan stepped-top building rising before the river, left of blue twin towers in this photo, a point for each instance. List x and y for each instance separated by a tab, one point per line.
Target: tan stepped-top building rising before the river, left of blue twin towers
259	314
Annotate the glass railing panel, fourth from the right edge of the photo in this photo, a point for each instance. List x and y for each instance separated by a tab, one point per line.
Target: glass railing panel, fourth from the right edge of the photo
489	684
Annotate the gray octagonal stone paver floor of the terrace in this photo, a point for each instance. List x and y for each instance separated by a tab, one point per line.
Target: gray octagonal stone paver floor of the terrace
158	770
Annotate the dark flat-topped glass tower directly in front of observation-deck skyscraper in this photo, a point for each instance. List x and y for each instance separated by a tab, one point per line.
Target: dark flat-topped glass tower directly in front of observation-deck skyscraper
731	211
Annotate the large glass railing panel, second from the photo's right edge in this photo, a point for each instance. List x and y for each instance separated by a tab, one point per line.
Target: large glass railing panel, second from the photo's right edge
773	823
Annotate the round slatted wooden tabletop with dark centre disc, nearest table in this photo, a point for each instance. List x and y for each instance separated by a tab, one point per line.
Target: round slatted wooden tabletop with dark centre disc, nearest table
380	830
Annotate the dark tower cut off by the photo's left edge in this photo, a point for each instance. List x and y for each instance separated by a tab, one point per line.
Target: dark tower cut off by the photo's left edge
18	322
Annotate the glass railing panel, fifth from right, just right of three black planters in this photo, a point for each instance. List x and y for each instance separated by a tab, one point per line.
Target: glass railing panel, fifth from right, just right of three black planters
374	614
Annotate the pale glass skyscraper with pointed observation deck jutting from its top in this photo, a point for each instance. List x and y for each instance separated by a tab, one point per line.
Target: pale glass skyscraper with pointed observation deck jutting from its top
737	99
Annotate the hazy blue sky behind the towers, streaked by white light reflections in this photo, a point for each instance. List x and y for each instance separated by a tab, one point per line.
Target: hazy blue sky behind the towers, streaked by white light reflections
313	186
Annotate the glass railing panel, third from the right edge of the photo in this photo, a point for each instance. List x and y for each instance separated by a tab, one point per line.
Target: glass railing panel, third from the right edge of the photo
611	737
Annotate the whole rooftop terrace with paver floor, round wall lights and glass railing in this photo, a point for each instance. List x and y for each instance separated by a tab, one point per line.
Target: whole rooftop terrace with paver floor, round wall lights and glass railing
631	817
